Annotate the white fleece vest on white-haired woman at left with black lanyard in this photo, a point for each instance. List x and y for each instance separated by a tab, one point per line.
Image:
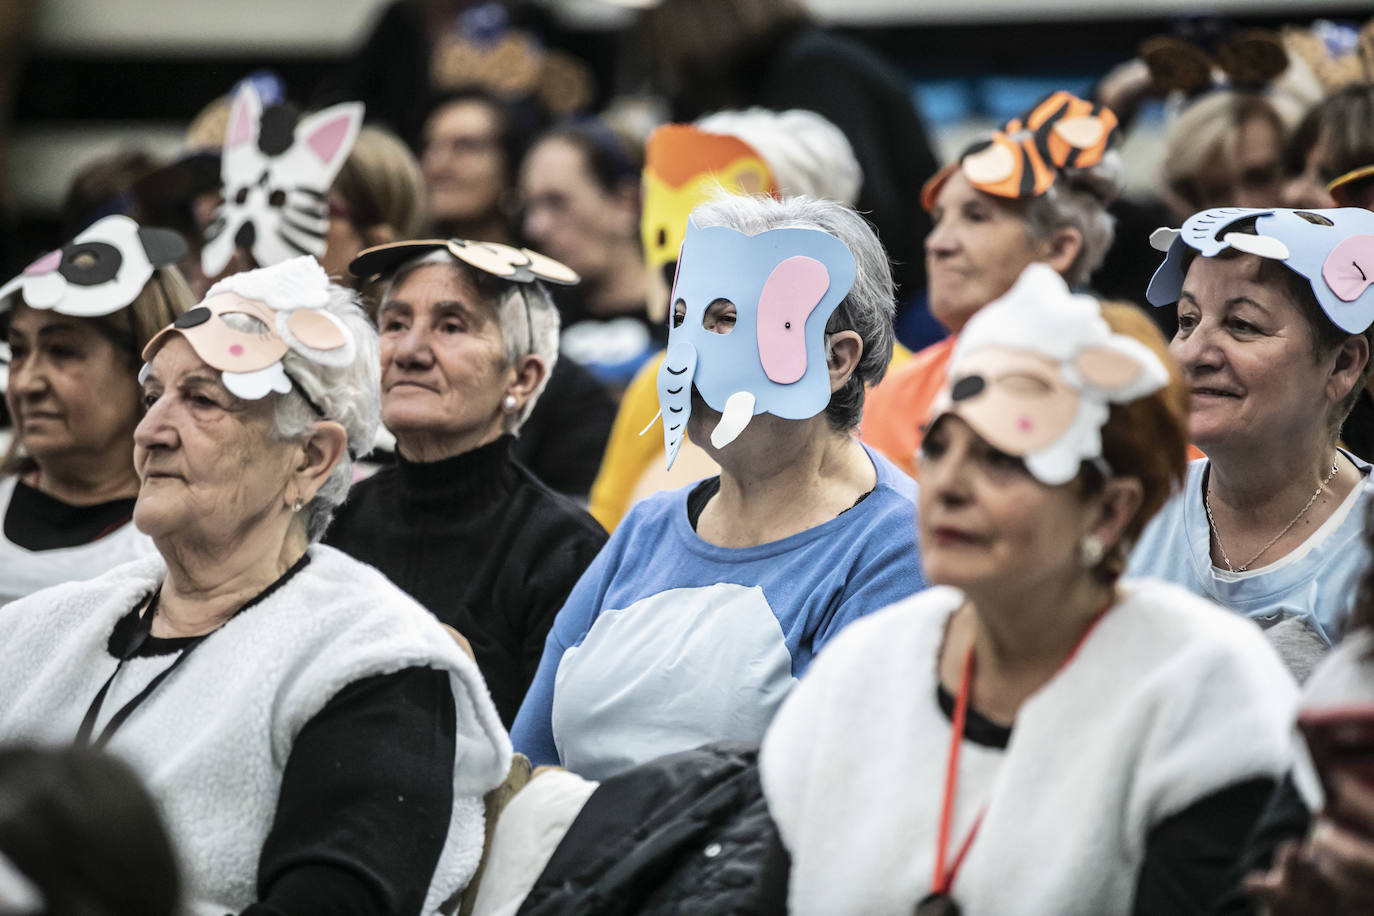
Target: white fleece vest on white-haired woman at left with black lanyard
214	740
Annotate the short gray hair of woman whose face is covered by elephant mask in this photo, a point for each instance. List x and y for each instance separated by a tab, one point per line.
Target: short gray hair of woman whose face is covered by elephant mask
870	304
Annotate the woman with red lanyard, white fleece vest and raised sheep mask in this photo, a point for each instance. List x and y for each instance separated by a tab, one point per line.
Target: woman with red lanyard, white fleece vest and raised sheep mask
1110	742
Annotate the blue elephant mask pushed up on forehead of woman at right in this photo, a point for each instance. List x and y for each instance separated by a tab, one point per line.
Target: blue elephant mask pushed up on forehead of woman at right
1332	249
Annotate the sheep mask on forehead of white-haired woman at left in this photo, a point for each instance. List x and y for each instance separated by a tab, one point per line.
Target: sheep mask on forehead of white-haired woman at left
286	308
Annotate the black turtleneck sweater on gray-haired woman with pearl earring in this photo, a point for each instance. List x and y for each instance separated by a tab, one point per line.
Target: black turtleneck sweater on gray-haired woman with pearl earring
483	545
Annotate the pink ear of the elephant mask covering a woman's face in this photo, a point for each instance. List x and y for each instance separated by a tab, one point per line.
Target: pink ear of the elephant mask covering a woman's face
791	295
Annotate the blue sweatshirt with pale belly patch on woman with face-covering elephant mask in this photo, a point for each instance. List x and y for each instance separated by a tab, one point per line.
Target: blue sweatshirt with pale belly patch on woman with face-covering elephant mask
668	642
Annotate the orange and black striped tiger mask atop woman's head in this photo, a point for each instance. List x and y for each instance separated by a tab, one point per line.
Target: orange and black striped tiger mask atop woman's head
1024	159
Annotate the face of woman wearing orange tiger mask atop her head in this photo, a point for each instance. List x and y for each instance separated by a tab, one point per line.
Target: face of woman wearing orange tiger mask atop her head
976	251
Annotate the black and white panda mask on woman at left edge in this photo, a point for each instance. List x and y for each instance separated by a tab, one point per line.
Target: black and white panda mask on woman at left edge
100	273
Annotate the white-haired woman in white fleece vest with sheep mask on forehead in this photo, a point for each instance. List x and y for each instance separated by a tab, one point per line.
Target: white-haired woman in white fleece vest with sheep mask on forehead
286	705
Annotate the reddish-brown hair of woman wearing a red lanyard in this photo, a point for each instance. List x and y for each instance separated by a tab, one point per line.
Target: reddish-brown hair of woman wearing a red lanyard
1145	439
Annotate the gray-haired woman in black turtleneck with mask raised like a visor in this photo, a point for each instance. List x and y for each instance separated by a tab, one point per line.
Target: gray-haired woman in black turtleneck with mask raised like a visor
458	523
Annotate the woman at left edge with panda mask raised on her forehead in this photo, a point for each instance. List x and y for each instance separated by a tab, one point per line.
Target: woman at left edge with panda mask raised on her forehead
79	319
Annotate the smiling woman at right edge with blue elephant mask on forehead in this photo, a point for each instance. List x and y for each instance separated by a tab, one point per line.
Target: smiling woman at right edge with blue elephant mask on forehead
1274	339
